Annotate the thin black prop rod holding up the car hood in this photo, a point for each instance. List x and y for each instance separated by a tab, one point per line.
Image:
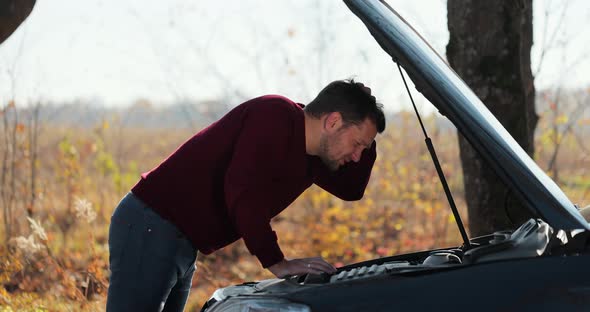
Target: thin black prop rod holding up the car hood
441	174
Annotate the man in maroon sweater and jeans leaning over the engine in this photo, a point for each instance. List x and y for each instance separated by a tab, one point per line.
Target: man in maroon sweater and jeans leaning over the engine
228	181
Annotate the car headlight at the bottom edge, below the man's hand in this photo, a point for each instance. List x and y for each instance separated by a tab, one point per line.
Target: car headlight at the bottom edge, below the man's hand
253	304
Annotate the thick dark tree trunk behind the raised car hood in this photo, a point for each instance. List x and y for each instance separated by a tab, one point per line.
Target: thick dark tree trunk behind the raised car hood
489	47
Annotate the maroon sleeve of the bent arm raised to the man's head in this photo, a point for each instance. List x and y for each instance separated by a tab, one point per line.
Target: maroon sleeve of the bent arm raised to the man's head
349	181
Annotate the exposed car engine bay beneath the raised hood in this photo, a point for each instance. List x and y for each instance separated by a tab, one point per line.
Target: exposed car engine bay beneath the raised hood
533	238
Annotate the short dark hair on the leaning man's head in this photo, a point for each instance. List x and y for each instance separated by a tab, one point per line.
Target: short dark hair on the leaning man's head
352	100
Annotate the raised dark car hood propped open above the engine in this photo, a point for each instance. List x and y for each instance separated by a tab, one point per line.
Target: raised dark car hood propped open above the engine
435	79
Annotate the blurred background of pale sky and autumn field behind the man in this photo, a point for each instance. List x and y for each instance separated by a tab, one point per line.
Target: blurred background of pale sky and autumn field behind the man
95	92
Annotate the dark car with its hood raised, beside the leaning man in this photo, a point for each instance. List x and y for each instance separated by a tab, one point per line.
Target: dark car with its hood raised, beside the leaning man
544	265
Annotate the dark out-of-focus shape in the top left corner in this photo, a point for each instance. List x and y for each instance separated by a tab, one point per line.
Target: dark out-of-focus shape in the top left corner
12	14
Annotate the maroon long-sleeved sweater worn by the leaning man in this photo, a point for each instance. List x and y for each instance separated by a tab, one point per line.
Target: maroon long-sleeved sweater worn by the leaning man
231	178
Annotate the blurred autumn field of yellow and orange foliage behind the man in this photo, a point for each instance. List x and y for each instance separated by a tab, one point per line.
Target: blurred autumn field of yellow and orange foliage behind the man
60	185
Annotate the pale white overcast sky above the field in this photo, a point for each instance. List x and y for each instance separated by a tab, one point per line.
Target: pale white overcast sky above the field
114	52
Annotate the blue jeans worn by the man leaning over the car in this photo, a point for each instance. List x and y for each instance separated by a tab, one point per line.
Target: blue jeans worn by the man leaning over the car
151	261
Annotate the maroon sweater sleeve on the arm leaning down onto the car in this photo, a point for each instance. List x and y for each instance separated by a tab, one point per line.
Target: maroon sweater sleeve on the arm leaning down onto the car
260	150
